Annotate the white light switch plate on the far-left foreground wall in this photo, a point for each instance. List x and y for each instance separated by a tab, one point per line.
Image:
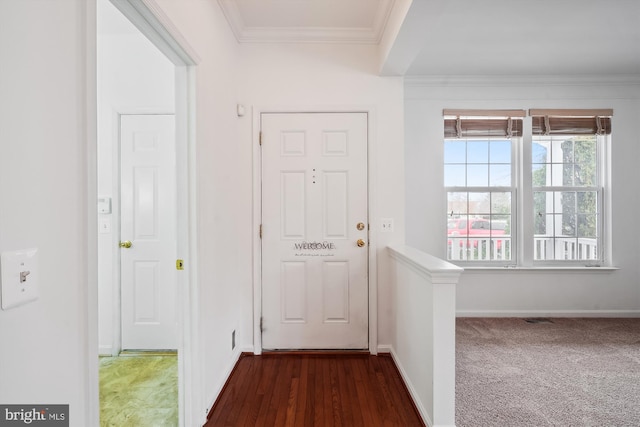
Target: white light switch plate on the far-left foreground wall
19	274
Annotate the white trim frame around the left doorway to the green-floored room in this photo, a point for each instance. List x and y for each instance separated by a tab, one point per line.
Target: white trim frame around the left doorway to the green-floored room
149	18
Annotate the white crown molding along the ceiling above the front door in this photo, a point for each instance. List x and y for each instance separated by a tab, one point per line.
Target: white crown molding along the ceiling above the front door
291	34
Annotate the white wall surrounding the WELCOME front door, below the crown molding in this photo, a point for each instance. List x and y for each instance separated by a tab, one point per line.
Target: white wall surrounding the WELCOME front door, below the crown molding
317	77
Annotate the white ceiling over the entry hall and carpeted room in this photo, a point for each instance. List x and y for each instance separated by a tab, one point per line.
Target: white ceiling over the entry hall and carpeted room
460	37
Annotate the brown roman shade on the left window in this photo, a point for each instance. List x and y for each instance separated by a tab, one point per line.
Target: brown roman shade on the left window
482	123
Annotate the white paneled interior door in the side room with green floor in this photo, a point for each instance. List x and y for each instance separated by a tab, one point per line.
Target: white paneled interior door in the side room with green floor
148	223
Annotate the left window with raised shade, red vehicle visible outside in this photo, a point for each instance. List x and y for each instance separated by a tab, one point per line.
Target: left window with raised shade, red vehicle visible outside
480	183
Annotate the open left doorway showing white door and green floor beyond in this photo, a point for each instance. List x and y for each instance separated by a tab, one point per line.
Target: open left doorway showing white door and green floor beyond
143	188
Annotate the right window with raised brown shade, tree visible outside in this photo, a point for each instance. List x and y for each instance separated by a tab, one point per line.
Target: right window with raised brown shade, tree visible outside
567	180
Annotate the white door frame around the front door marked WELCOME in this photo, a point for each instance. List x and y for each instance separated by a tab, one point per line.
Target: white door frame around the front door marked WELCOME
257	216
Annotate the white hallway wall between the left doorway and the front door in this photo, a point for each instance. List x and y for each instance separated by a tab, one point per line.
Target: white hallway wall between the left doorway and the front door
220	216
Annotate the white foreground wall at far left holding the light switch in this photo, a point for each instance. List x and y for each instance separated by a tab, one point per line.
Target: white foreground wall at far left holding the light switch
46	345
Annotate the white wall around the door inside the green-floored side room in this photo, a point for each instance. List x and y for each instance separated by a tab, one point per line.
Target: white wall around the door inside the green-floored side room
133	77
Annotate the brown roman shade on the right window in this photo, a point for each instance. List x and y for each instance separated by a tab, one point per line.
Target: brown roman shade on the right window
571	122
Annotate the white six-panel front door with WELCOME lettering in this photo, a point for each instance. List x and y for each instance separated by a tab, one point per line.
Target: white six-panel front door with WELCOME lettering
314	213
